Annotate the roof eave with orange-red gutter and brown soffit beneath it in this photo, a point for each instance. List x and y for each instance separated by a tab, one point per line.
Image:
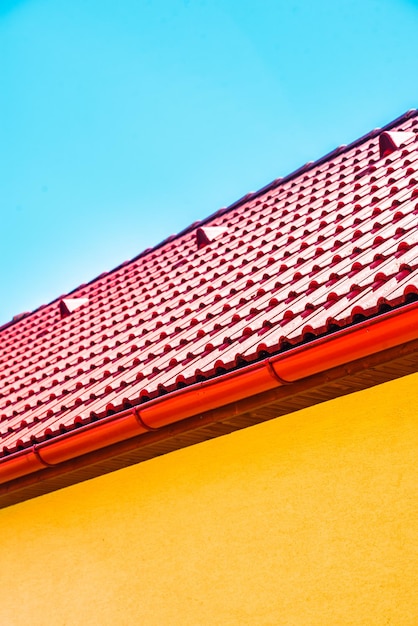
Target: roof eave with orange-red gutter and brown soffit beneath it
371	352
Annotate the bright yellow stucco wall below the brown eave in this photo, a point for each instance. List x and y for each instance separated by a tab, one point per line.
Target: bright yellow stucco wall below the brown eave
311	519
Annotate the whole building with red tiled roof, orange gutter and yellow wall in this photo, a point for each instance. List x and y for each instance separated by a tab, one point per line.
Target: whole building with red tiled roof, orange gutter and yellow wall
223	430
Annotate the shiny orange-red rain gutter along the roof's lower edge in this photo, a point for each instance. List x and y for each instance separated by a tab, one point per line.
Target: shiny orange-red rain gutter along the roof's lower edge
356	342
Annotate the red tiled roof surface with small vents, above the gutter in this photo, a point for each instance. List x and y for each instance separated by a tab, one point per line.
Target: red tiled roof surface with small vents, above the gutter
325	248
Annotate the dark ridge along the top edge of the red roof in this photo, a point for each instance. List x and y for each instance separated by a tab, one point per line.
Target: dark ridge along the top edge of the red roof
247	197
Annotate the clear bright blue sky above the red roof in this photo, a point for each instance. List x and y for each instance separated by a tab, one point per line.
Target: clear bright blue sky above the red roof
123	122
